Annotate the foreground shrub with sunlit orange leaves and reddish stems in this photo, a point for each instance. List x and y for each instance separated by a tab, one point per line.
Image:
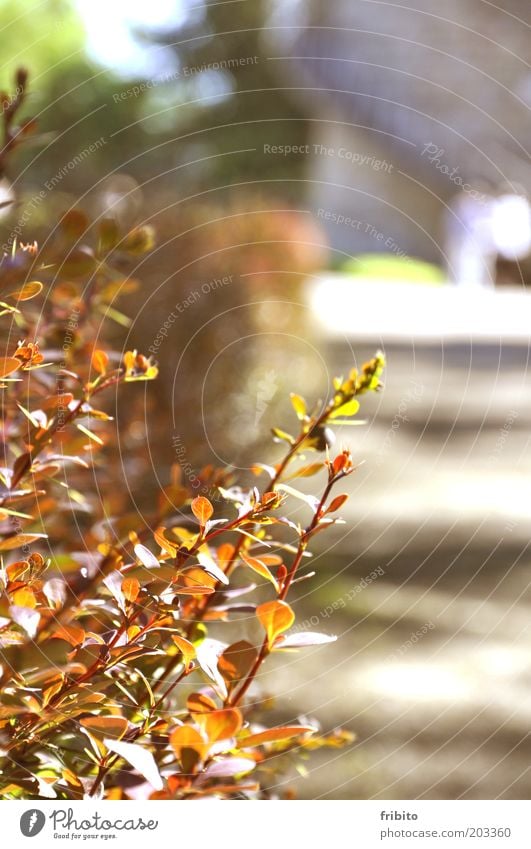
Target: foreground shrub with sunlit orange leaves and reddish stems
113	684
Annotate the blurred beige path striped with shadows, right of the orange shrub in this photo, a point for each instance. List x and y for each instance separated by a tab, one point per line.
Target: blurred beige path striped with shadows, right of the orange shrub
441	508
